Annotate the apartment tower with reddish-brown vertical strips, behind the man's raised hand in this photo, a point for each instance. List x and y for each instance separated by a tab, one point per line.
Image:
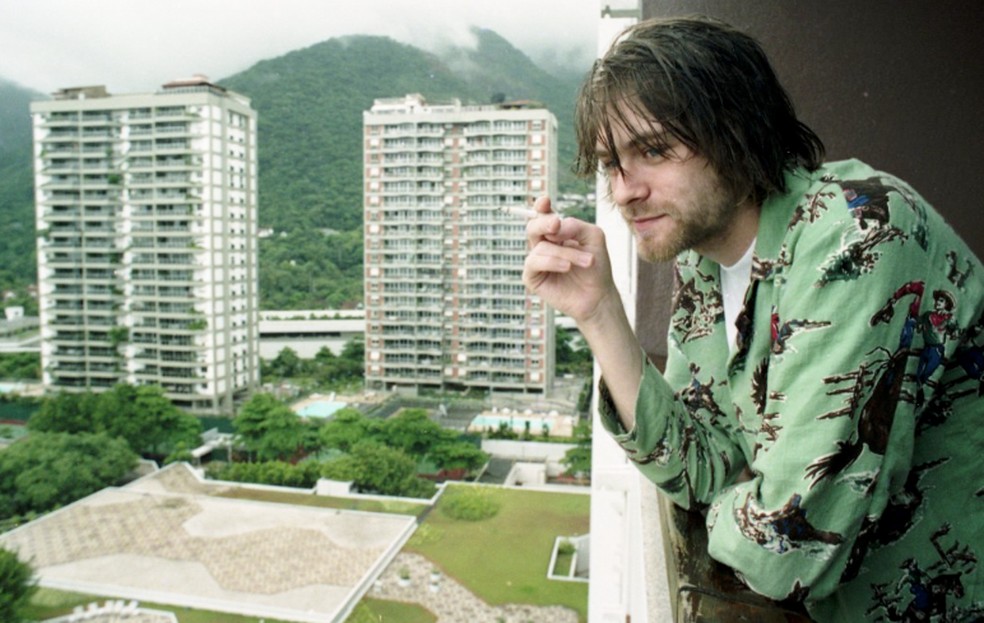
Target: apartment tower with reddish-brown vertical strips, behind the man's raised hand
445	303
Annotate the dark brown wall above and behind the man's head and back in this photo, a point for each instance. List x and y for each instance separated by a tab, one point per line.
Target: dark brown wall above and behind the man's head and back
898	84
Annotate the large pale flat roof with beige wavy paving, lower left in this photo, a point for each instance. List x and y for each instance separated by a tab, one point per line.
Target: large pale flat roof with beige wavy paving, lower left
162	538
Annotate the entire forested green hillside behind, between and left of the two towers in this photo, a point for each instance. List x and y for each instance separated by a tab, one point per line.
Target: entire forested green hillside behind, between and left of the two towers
310	105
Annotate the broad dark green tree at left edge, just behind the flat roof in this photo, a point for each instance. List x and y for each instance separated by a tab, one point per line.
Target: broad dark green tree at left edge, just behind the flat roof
44	471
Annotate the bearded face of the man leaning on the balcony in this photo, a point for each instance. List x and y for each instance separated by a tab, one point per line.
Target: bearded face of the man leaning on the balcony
672	199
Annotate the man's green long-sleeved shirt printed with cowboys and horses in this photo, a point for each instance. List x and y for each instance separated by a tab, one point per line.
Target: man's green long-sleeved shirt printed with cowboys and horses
853	397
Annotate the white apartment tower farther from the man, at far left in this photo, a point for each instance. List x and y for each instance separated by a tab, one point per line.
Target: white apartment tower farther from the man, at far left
147	258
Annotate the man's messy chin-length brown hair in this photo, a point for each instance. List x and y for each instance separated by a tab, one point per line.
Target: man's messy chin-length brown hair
708	85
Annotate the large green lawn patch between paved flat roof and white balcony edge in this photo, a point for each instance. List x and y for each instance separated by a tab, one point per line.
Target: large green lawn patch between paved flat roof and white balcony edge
505	559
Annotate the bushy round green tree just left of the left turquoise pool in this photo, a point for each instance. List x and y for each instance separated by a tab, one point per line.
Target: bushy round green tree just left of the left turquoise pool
270	429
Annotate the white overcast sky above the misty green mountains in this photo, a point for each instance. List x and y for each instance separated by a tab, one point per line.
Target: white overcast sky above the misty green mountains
137	45
